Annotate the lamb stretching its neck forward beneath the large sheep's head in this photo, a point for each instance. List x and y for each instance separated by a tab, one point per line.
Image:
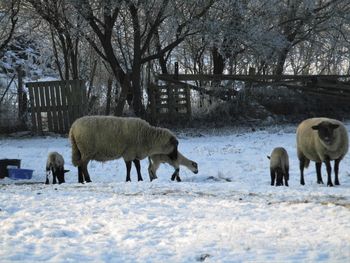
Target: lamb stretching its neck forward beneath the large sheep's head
157	159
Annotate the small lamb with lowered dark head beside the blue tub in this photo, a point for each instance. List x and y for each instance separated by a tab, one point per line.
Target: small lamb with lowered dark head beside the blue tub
55	166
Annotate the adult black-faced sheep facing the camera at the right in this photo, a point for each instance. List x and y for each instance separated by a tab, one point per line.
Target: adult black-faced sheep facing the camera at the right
321	140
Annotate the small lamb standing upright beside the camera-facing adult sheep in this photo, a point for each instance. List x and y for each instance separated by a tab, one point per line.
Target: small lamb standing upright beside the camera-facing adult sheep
279	166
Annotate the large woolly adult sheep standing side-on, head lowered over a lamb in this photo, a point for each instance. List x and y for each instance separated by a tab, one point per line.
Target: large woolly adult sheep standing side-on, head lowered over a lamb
104	138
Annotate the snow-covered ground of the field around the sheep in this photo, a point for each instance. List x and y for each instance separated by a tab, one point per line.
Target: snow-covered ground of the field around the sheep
228	212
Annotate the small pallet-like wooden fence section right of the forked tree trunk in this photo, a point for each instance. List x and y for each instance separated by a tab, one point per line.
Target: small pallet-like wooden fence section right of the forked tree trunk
170	102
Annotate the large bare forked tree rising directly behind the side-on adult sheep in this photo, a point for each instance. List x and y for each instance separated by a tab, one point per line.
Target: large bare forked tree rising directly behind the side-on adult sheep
138	24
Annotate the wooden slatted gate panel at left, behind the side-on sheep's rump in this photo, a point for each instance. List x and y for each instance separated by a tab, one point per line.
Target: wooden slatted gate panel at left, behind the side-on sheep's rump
56	104
